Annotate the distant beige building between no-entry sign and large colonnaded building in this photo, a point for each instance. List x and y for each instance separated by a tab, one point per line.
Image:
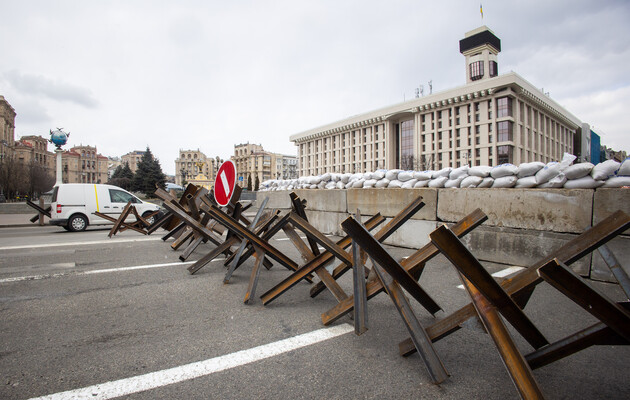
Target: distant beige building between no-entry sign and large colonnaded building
253	161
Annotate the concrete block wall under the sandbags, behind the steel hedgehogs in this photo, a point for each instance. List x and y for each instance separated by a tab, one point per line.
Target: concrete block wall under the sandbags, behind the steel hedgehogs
523	225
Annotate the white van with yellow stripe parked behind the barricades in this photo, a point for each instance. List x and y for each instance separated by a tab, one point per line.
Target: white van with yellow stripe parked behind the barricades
73	204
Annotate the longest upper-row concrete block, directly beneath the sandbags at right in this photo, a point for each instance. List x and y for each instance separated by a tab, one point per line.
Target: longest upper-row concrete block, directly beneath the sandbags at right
556	210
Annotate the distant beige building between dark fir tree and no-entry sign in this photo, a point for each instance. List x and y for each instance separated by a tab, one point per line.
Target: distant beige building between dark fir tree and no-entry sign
195	167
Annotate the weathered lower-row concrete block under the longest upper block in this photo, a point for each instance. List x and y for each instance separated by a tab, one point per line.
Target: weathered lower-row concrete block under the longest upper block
519	247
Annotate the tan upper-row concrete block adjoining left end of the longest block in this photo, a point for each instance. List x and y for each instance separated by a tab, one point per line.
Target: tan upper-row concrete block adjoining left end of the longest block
389	202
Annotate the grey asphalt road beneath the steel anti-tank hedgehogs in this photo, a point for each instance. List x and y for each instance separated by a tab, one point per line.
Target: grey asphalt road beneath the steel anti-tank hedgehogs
73	314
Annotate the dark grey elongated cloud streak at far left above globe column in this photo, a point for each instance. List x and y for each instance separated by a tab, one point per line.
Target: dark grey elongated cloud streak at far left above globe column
38	85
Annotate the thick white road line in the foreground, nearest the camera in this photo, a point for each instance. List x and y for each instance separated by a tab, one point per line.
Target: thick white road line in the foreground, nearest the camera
153	380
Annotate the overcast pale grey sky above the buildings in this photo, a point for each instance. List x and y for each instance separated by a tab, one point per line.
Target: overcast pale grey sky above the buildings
124	75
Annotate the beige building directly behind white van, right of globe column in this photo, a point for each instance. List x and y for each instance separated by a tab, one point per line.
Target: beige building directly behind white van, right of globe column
83	164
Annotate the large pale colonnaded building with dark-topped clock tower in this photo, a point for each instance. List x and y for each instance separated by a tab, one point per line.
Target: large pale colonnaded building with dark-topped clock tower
493	119
